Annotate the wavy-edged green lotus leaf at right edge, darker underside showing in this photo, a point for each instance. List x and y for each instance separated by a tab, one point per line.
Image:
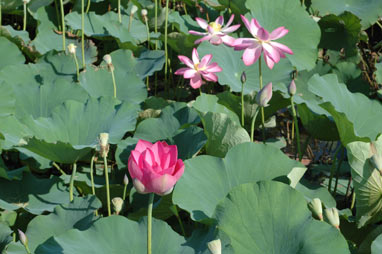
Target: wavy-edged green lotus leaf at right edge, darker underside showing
350	111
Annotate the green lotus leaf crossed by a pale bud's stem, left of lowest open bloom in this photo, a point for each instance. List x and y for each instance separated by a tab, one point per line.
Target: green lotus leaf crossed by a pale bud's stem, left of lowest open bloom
98	82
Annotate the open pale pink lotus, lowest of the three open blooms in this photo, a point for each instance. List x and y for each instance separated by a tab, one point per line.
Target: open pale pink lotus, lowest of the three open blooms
198	69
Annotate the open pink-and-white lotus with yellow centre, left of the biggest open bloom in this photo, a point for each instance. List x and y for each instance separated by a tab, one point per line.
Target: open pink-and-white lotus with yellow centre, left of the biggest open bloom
215	32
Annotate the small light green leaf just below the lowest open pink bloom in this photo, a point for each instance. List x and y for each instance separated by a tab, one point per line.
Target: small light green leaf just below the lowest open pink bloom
209	103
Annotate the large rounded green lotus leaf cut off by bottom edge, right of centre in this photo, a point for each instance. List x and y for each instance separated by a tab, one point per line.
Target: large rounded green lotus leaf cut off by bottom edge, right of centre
271	217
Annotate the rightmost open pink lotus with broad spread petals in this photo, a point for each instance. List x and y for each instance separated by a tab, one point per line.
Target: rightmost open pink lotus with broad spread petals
262	41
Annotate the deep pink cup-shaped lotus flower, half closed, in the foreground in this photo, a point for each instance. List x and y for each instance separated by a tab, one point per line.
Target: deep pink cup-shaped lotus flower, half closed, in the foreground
155	168
